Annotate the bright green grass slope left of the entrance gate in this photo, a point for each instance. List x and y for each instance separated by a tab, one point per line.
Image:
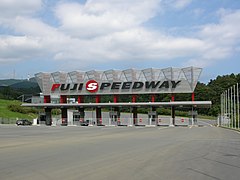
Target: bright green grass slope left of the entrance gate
6	113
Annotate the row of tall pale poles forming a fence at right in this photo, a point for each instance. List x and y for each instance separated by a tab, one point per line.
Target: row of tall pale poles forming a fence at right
230	108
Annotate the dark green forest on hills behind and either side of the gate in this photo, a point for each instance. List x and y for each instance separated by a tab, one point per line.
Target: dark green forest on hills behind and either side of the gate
203	92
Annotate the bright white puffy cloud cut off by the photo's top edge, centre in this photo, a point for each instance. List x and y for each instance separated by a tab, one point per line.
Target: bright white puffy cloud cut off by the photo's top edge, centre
102	17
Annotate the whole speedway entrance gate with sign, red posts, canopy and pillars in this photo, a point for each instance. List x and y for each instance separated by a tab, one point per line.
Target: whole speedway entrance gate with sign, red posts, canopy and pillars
61	85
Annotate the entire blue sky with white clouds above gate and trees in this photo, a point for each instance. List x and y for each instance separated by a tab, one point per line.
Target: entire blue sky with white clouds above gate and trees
67	35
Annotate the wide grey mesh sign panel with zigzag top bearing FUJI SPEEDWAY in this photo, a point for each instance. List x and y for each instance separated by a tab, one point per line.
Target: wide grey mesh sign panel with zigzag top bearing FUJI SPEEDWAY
147	81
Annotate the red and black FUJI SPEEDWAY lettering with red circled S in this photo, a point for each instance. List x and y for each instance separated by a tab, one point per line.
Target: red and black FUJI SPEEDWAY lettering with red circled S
129	87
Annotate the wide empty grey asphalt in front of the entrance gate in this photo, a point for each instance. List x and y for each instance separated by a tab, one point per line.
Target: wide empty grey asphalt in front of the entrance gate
114	153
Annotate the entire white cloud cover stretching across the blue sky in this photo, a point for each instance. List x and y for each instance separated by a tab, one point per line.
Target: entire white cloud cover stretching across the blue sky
103	31
